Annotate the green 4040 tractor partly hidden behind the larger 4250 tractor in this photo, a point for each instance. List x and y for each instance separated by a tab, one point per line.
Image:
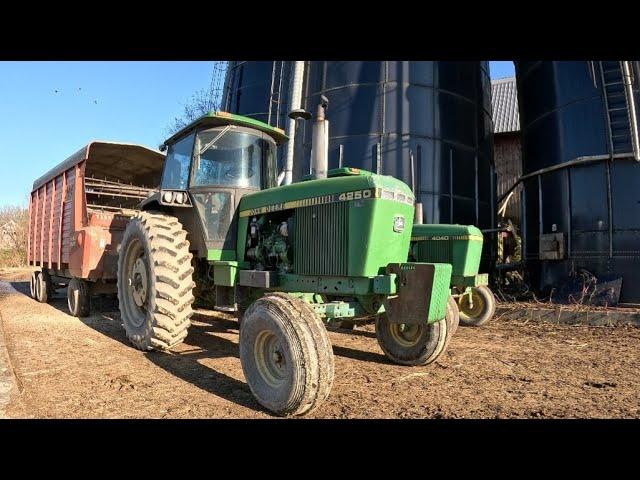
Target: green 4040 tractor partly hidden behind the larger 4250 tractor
461	246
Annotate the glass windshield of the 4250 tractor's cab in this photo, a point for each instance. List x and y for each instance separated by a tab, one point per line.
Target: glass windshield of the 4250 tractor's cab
232	156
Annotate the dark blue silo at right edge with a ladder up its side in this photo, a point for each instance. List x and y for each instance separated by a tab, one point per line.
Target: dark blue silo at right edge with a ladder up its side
581	195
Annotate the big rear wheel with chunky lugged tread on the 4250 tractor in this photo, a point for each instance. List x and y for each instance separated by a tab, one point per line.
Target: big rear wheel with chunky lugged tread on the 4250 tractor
155	282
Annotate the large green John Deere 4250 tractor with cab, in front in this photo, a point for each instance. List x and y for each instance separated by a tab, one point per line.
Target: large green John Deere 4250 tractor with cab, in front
292	258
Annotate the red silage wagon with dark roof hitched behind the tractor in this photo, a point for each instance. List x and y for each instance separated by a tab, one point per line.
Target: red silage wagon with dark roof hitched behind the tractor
78	212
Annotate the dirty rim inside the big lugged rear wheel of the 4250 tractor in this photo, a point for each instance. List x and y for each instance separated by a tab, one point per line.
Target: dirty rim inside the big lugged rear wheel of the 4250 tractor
137	281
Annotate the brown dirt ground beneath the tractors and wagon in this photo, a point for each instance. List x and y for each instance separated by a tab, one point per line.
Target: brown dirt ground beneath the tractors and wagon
72	368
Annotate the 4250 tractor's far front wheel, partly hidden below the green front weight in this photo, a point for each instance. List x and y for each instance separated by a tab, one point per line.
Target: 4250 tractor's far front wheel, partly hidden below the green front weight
411	344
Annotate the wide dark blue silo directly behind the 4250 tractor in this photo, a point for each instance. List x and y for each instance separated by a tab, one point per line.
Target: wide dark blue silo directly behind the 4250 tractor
381	114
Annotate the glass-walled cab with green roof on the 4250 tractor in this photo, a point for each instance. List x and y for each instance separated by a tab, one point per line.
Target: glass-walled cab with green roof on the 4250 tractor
211	164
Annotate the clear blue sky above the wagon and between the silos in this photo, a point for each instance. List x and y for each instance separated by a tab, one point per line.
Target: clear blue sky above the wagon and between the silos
120	101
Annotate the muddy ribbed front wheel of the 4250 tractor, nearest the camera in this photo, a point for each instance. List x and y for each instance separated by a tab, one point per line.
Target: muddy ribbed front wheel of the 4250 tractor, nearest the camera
286	355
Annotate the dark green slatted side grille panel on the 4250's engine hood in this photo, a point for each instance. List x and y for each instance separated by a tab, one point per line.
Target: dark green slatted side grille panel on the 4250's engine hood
321	239
